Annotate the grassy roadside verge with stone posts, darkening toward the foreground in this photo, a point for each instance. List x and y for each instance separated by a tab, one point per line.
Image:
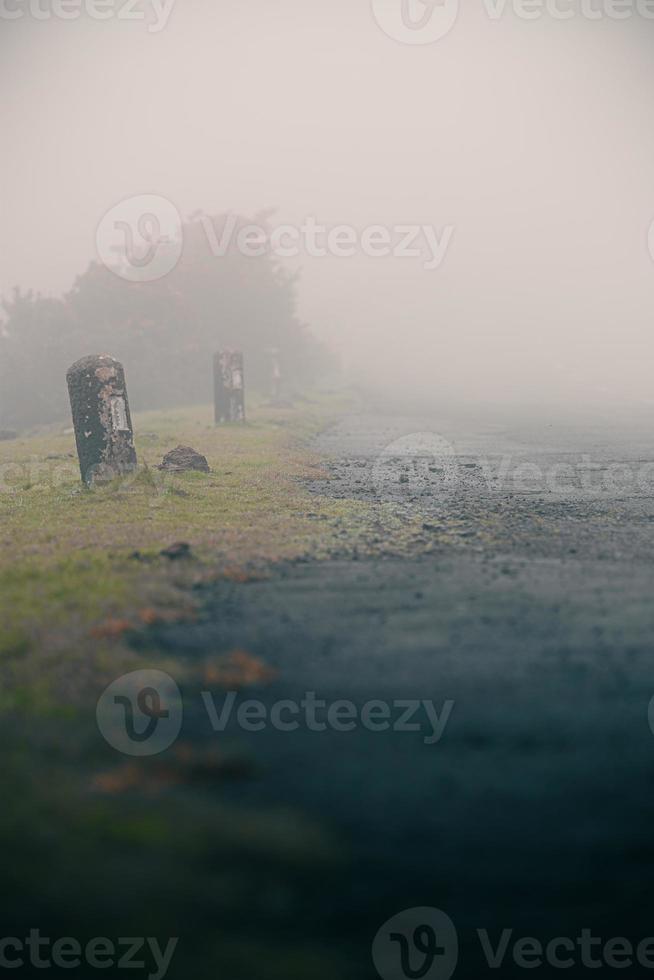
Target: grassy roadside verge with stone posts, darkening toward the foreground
96	844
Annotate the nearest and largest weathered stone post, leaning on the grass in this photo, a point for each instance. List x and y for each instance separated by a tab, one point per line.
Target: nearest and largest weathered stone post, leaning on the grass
103	426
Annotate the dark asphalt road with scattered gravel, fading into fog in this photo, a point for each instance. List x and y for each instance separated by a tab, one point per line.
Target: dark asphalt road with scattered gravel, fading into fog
525	618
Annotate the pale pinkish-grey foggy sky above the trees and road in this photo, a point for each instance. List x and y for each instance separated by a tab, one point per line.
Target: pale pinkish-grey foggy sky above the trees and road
532	139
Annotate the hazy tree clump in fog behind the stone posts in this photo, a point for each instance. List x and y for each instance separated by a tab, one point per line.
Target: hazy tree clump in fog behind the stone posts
165	332
